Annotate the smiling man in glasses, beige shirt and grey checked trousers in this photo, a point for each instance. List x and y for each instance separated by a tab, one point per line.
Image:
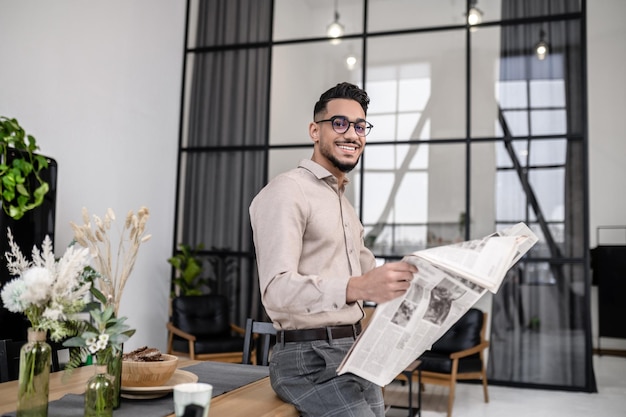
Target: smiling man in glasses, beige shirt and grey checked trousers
314	268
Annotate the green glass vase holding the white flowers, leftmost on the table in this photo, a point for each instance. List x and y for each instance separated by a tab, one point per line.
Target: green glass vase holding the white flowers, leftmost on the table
34	377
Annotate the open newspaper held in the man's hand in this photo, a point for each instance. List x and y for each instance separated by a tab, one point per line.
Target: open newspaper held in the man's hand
450	280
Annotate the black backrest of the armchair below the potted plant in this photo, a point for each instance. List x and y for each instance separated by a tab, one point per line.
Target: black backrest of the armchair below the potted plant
201	315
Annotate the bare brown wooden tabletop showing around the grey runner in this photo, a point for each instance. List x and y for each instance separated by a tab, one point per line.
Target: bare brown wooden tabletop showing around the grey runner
254	399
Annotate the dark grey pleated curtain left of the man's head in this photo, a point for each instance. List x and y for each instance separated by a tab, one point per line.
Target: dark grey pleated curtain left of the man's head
223	162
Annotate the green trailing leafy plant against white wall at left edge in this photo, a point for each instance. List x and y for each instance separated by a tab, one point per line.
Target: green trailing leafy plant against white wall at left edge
21	186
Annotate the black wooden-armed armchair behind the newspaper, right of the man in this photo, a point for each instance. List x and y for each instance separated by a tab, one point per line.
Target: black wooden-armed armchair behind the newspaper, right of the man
458	355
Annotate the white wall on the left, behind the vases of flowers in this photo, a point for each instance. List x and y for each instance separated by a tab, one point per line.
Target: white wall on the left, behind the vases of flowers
98	85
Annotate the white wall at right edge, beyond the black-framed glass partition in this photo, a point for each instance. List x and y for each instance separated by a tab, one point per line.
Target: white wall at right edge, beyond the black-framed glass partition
607	138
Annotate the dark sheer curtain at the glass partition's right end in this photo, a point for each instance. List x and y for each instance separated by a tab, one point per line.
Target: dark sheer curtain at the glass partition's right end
531	353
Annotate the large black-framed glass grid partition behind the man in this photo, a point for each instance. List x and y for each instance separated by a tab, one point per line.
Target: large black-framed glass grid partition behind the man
471	134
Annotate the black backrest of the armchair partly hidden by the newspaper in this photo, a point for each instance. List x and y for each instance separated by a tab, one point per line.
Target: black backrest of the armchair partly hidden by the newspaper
463	334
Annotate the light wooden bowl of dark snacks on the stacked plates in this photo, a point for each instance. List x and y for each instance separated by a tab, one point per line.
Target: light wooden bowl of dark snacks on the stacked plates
147	367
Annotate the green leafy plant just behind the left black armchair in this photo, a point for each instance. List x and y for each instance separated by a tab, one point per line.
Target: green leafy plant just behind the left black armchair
188	265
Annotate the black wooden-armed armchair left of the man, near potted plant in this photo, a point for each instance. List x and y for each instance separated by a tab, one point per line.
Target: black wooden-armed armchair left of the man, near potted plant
200	328
